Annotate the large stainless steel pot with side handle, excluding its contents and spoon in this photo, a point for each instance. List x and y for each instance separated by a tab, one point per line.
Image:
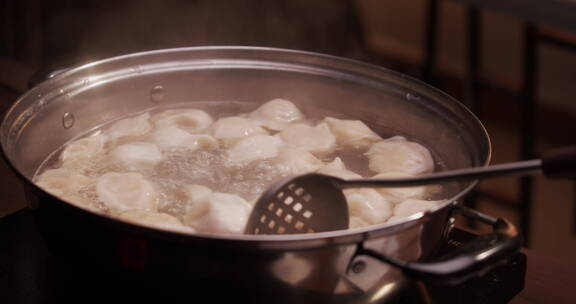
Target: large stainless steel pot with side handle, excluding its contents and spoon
365	265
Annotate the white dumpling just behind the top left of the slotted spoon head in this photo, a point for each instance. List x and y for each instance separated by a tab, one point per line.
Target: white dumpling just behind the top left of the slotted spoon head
295	161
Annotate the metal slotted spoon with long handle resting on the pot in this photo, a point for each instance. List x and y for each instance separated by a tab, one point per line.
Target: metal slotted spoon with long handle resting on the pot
315	203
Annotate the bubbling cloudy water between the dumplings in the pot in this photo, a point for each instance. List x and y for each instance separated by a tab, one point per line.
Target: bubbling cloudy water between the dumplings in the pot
207	167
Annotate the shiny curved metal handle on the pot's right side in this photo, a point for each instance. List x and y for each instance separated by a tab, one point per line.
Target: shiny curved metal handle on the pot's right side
471	259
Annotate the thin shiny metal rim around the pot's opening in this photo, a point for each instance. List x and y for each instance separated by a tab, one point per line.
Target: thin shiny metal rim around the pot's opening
273	241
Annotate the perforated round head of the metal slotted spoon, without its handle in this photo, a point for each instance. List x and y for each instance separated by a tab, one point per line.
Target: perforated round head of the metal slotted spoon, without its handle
300	204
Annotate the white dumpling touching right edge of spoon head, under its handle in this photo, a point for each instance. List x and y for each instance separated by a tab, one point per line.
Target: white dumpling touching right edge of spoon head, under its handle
368	205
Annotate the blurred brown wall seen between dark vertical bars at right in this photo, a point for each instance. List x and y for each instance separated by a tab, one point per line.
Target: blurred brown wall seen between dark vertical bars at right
395	29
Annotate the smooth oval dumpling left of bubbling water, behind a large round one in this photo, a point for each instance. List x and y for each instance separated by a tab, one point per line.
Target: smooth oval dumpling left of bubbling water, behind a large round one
136	156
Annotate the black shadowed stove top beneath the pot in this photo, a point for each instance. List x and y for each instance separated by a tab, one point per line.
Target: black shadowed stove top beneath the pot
29	274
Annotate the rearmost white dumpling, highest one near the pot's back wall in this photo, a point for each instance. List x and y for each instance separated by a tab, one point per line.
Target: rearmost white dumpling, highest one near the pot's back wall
276	114
